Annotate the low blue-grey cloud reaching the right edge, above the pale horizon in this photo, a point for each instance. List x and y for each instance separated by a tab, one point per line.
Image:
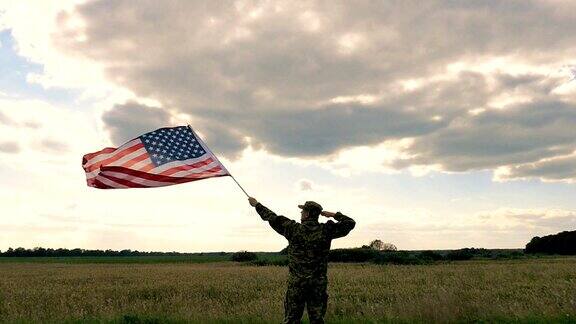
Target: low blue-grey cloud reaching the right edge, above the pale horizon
519	134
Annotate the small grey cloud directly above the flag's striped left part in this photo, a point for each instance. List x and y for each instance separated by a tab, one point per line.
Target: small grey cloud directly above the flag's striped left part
131	120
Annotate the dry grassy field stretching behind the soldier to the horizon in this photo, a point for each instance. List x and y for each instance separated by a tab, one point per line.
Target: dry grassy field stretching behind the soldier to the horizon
534	290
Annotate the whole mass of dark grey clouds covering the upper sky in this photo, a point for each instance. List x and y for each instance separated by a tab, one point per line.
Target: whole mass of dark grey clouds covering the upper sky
269	70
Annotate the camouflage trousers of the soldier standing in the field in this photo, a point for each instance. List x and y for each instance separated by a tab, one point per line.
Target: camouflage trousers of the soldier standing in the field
306	292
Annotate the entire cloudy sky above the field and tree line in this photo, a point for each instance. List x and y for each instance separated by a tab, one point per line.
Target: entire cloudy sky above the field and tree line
433	124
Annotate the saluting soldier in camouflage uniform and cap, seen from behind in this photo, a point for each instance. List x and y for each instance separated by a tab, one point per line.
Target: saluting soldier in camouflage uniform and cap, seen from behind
308	247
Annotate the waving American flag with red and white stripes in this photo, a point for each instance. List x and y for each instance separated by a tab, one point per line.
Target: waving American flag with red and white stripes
164	157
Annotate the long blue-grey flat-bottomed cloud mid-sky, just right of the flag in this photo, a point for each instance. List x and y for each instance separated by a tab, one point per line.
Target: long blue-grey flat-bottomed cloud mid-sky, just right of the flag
303	132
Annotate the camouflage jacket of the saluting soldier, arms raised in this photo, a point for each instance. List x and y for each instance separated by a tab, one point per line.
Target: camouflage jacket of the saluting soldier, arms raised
308	242
